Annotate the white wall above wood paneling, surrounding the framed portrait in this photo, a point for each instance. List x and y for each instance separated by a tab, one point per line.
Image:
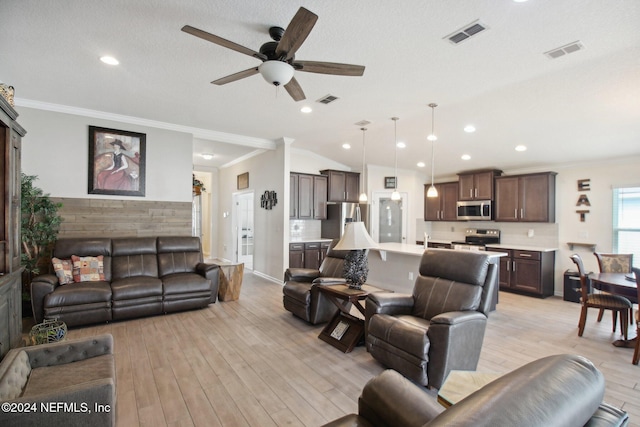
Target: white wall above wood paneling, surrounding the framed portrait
56	148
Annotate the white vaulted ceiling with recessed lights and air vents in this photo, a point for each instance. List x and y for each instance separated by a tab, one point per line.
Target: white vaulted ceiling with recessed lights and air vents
581	106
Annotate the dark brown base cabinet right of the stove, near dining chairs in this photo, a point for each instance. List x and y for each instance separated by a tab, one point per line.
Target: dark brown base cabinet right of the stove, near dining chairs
527	272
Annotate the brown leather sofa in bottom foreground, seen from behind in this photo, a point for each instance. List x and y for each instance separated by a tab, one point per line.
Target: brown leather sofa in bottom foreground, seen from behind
561	390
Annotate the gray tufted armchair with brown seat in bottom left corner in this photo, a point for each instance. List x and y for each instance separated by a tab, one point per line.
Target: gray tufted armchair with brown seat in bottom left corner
76	379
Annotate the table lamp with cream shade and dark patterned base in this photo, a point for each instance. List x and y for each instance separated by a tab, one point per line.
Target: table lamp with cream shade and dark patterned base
356	240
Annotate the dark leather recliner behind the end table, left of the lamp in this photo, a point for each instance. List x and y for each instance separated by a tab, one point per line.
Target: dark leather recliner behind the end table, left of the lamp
300	291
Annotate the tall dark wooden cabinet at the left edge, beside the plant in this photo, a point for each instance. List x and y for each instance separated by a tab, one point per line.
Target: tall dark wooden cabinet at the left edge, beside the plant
11	134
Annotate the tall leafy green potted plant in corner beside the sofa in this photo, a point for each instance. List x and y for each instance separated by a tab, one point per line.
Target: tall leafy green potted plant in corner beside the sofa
40	223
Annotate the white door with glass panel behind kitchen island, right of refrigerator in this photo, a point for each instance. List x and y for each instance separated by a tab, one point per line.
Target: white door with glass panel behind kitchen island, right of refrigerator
389	218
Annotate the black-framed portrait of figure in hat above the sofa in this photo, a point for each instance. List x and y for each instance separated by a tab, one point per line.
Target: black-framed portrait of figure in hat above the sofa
116	162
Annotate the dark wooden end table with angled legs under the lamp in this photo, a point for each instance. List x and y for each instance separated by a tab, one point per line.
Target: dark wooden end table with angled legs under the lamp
344	331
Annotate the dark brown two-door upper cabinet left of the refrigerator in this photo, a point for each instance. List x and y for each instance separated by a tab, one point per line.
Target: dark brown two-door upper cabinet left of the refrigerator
308	196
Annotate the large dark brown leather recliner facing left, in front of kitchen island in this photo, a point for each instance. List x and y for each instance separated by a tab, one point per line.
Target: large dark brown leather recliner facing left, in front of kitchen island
441	325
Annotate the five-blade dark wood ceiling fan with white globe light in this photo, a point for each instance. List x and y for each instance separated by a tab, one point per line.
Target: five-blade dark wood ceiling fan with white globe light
278	57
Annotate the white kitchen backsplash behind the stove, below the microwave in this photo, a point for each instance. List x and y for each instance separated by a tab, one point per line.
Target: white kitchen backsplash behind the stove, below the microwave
542	234
